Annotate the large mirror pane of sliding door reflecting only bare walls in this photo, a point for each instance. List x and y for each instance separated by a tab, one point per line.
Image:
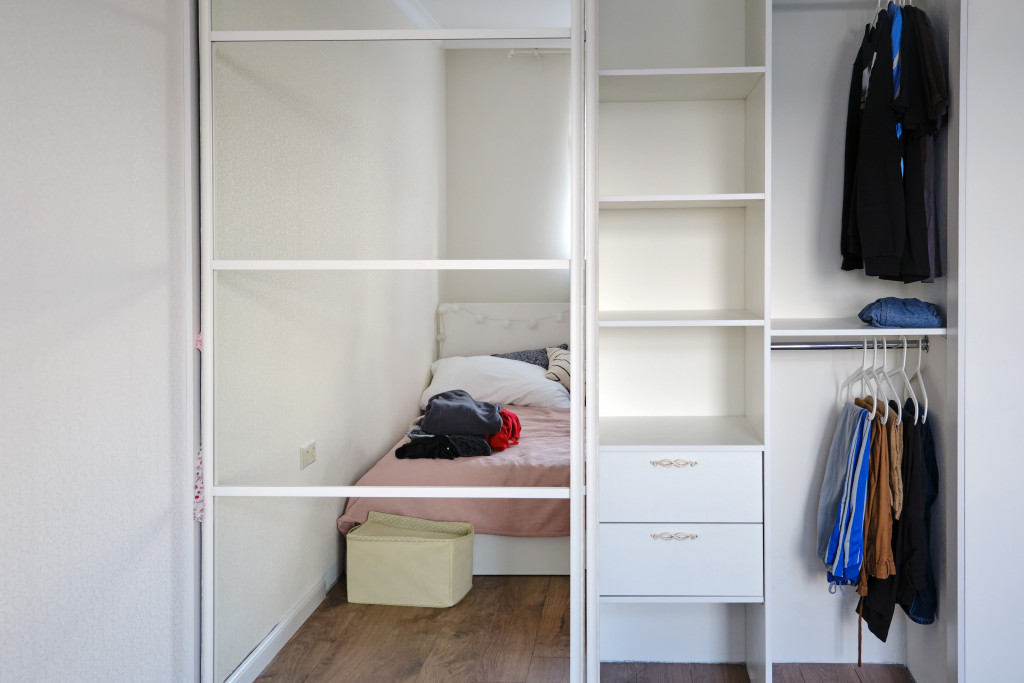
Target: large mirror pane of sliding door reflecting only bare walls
391	151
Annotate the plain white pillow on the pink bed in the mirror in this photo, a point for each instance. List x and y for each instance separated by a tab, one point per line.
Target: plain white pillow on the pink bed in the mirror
496	380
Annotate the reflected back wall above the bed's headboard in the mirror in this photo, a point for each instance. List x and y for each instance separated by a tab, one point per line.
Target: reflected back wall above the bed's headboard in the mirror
508	172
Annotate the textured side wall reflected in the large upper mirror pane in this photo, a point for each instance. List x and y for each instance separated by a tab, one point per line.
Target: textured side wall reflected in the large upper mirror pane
329	150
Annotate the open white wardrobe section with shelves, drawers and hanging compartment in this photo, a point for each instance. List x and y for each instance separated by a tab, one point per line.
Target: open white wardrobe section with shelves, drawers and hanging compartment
716	225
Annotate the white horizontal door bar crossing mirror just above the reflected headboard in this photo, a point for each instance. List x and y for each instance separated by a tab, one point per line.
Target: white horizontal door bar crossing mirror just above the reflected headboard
392	265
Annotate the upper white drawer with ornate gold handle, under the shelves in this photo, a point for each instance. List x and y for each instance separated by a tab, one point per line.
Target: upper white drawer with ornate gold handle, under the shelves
651	487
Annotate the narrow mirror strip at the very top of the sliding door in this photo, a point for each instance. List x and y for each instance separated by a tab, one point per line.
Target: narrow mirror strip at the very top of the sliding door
358	15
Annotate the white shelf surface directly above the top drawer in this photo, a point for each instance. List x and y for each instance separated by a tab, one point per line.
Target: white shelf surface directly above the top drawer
678	434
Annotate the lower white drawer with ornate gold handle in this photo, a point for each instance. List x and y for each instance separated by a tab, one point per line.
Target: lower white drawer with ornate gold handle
721	561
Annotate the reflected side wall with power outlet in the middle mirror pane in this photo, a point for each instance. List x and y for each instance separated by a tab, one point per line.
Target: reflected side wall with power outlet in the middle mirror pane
339	359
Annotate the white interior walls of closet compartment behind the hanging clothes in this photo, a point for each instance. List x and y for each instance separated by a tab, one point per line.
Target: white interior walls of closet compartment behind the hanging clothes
815	45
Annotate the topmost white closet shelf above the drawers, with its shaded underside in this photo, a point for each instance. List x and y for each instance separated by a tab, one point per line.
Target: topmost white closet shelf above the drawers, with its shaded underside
659	86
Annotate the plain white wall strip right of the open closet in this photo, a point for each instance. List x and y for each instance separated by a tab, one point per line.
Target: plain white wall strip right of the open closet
994	468
